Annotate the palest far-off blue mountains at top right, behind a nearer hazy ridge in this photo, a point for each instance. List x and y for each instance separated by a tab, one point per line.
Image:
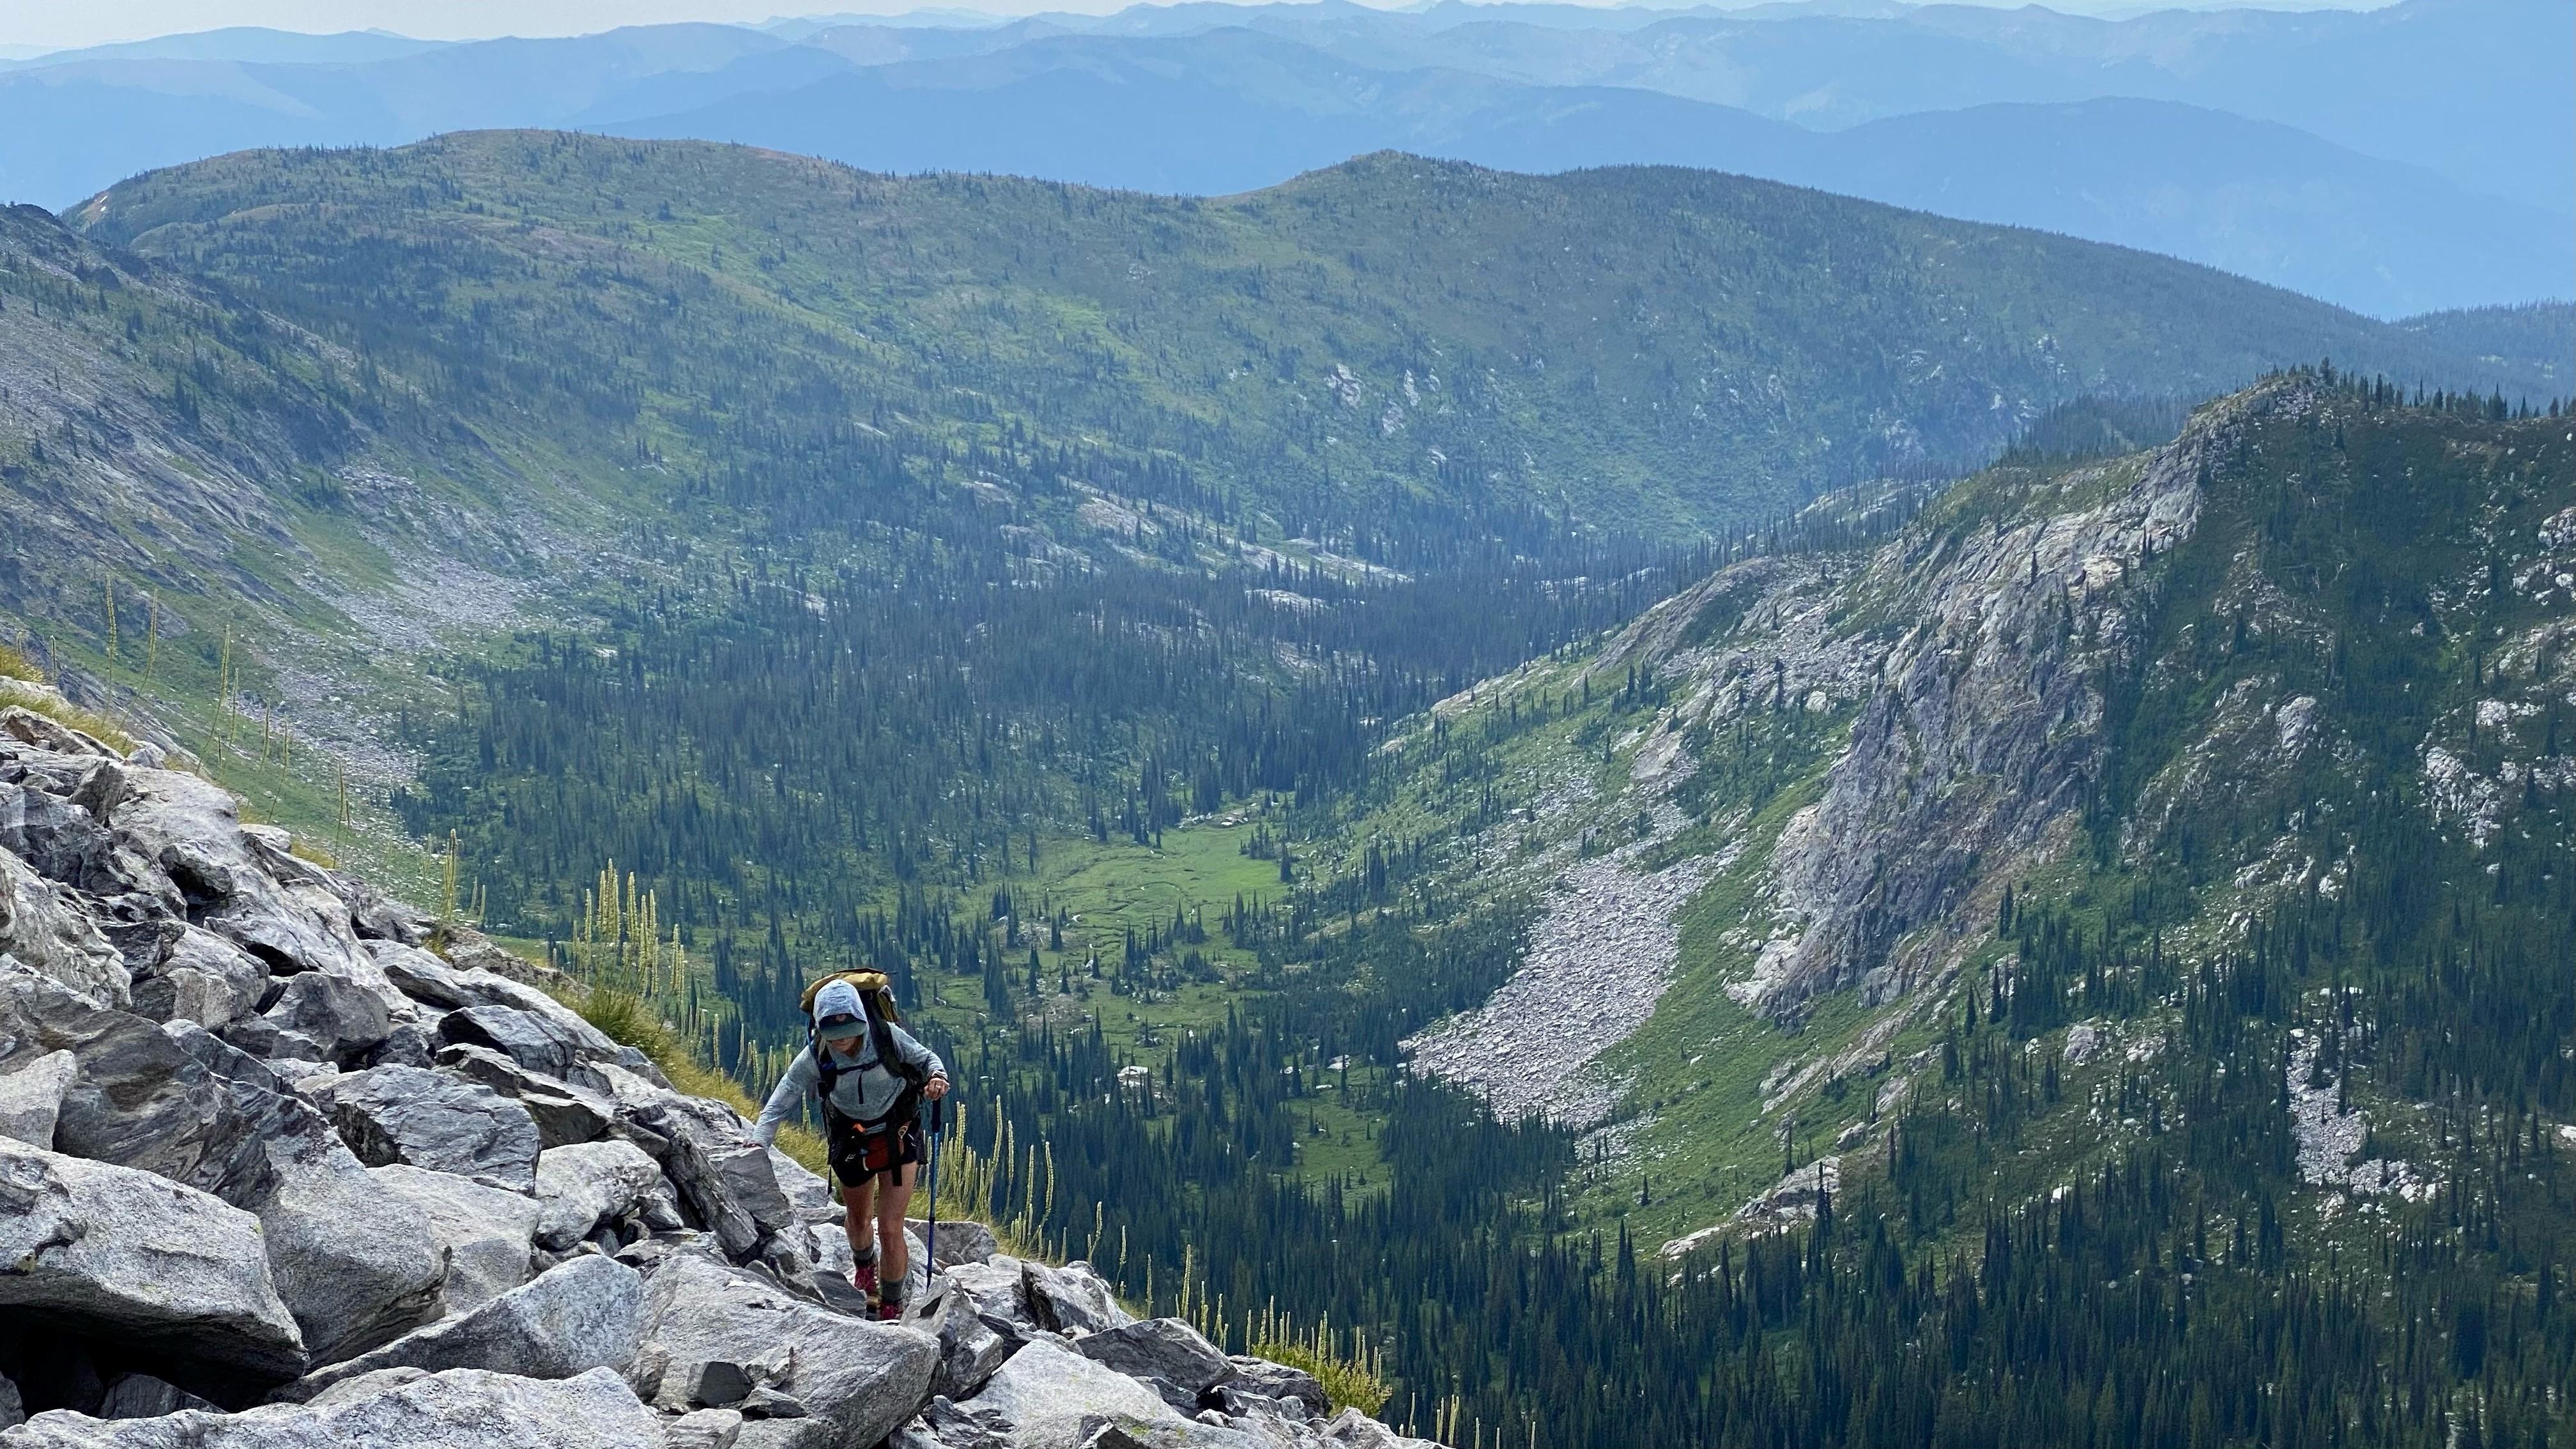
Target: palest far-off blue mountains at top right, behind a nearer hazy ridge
2472	89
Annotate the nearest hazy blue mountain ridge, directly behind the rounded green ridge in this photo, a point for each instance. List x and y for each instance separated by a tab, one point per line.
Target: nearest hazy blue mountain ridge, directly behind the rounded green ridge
1235	110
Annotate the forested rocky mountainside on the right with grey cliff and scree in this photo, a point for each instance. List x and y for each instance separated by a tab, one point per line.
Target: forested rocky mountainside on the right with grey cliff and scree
2103	976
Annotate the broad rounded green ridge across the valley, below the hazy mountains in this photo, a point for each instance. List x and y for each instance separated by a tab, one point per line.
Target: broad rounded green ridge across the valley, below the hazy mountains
1653	349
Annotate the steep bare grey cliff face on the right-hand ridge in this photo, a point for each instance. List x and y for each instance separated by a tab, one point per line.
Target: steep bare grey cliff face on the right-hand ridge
1982	728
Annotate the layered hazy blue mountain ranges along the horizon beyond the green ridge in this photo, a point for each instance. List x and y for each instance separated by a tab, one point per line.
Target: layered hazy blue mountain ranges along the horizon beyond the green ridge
2400	161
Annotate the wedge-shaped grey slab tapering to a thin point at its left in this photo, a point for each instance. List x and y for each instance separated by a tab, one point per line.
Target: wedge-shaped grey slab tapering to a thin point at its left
571	1319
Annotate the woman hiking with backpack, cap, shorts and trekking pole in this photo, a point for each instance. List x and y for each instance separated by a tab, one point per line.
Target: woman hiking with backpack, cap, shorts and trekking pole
872	1079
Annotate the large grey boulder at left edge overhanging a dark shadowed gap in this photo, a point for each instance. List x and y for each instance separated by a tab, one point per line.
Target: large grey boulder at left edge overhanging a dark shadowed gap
135	1257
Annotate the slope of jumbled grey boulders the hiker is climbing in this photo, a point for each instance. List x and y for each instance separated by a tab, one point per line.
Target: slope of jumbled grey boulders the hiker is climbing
279	1174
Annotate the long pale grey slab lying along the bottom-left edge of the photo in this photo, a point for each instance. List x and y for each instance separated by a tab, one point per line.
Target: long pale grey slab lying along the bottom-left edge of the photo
460	1409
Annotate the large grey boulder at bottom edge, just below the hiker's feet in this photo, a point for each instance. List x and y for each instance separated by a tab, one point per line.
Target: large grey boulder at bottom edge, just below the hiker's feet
854	1378
